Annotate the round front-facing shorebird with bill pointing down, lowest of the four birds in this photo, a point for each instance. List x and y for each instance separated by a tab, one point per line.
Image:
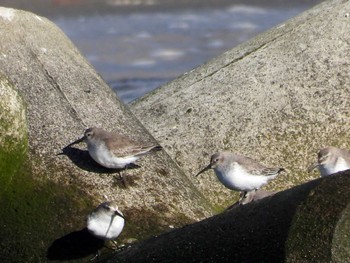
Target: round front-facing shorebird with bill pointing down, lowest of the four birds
106	221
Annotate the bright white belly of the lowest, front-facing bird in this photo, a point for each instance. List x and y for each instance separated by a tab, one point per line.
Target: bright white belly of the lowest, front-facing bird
105	227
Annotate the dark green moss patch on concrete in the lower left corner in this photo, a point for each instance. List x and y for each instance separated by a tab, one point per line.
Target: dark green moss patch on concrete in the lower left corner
35	214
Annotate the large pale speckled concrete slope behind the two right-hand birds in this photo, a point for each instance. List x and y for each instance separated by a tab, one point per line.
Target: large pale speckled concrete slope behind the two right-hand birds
277	98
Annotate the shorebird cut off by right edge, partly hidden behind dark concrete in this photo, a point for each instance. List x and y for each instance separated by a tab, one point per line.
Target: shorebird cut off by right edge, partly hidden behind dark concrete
331	160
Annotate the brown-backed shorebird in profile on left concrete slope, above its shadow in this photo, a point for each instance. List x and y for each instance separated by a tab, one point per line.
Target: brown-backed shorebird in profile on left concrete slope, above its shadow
113	150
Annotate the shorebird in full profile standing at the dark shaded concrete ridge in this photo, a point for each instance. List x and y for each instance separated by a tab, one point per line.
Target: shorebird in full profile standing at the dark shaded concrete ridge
240	173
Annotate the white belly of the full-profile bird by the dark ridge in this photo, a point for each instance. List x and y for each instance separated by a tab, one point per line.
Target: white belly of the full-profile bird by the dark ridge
239	180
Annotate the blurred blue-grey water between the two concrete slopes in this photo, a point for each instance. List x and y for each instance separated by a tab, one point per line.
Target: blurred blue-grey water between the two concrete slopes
138	45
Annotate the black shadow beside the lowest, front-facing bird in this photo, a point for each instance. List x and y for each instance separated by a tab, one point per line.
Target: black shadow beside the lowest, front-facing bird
75	245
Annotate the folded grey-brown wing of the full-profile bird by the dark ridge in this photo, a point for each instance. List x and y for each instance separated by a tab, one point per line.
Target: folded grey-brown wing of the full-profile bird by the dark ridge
255	167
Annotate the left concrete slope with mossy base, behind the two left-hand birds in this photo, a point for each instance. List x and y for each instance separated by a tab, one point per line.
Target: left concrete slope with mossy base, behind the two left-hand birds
53	193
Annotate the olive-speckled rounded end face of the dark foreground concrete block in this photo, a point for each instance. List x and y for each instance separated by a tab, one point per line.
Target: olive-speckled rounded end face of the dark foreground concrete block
319	231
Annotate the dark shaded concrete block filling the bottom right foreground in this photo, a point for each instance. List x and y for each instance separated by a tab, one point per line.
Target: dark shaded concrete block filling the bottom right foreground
302	224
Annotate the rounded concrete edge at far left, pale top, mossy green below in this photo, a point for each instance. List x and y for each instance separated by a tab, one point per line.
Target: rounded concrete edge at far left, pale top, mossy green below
13	150
